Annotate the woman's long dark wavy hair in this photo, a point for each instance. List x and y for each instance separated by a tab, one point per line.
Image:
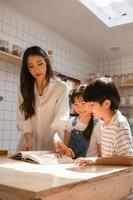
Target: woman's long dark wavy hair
27	80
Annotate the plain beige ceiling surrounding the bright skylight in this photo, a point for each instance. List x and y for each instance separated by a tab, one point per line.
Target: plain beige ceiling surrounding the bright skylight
75	22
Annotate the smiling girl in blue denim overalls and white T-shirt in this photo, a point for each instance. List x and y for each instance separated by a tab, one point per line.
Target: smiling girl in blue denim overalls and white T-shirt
82	134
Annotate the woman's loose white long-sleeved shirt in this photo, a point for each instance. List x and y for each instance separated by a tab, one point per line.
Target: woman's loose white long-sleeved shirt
51	114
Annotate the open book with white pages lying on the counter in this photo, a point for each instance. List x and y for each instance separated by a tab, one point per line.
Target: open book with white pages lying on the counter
41	157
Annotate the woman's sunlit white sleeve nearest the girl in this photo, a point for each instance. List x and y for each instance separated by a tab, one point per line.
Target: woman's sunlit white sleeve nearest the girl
61	109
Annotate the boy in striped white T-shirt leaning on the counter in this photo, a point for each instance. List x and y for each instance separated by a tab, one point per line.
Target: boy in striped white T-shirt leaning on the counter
116	136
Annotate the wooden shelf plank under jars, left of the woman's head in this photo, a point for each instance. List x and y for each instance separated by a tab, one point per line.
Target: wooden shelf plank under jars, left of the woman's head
10	58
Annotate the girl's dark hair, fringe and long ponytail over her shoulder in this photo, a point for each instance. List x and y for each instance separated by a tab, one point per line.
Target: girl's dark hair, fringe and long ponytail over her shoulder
78	92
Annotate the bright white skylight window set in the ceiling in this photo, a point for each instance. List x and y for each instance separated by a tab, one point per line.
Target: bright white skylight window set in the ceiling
111	12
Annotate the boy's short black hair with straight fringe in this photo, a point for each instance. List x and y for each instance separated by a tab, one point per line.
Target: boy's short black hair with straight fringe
101	89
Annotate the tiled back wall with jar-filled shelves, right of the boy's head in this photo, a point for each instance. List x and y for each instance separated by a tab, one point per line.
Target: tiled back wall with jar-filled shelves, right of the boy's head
123	68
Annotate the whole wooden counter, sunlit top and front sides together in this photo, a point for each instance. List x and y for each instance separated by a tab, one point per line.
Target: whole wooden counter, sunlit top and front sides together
20	180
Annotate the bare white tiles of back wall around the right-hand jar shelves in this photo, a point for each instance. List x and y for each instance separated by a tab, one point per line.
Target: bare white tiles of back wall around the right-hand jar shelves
119	66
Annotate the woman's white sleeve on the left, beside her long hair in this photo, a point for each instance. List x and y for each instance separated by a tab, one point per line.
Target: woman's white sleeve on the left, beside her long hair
24	125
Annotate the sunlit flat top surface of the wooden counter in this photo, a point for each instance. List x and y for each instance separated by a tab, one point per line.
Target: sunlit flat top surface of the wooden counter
35	177
